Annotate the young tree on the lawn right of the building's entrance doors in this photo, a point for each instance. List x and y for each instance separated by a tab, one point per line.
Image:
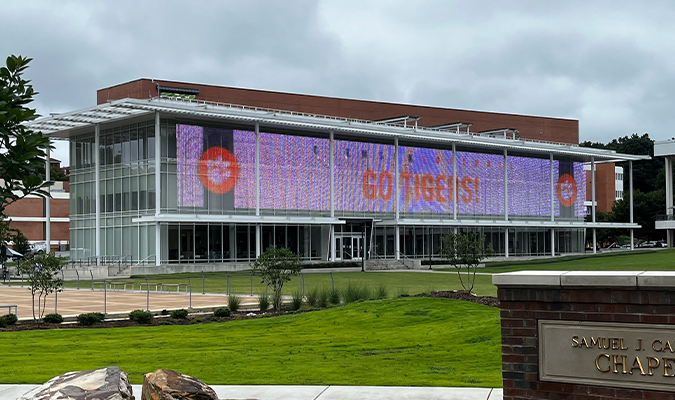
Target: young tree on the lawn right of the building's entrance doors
465	250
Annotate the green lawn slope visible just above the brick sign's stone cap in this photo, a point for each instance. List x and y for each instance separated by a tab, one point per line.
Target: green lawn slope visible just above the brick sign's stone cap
646	260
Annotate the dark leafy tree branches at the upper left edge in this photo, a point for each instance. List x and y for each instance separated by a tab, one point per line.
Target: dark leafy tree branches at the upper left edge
23	152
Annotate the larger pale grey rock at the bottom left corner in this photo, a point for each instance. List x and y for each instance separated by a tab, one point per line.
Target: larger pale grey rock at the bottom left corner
110	383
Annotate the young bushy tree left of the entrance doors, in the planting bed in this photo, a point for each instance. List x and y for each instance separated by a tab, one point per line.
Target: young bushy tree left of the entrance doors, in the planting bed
276	267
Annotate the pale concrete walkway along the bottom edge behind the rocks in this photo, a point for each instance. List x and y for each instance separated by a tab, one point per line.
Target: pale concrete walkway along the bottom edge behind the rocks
269	392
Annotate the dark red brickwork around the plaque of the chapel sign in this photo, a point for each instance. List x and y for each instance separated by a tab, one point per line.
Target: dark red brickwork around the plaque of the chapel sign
522	308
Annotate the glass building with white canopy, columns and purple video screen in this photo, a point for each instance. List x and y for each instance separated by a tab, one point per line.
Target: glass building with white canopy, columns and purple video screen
161	181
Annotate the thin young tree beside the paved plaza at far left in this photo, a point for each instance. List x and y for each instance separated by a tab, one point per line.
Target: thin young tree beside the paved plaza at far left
41	272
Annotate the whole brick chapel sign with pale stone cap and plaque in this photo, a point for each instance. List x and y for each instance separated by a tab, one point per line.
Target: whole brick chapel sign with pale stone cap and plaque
585	335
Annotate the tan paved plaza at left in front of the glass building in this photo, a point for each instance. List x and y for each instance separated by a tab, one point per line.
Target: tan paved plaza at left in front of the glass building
72	302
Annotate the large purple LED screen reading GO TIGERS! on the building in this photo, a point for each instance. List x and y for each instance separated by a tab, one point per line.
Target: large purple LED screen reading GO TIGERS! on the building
216	170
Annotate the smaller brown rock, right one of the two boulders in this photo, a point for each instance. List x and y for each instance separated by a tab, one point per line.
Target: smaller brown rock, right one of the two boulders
165	384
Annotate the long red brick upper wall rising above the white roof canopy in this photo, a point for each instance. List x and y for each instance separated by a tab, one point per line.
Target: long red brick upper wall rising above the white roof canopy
539	128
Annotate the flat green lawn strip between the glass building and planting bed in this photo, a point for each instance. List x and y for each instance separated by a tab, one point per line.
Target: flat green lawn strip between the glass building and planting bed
396	282
